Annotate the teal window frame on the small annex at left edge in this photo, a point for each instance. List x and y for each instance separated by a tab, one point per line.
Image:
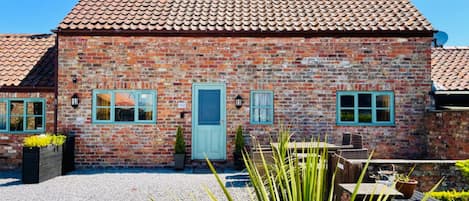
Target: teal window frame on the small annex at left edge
25	114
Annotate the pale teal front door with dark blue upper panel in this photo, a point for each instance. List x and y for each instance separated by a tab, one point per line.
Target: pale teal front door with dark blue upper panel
208	121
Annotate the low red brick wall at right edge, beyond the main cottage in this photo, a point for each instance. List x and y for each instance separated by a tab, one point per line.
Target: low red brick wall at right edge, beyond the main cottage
448	134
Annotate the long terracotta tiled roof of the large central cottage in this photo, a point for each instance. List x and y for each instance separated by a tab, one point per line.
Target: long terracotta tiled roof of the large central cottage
245	15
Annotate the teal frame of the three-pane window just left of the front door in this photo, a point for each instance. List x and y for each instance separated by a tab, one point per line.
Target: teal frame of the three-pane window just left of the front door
135	93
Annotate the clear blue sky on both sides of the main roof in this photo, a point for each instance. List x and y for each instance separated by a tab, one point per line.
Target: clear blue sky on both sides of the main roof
41	16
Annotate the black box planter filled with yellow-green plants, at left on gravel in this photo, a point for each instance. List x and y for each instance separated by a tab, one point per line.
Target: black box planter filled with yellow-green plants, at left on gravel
42	157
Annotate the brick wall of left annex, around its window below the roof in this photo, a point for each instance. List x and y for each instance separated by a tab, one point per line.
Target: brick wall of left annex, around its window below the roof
11	144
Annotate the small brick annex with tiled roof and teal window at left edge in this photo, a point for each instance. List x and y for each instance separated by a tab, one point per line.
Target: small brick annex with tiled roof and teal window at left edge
27	91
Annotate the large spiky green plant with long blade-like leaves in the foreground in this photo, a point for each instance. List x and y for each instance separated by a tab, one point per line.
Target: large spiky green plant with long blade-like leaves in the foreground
288	178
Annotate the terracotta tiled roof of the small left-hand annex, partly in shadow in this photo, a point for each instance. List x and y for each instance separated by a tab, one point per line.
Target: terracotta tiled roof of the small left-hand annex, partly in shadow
27	60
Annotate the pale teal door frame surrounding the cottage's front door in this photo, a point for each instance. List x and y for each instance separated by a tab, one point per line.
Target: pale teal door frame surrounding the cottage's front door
209	85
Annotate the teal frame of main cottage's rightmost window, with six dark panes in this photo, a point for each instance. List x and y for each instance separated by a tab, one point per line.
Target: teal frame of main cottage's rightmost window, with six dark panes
373	108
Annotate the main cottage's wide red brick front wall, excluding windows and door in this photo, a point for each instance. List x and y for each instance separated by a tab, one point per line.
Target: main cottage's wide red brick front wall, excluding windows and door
304	74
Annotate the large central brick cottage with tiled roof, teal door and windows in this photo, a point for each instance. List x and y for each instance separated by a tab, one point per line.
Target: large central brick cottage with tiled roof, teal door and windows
140	68
